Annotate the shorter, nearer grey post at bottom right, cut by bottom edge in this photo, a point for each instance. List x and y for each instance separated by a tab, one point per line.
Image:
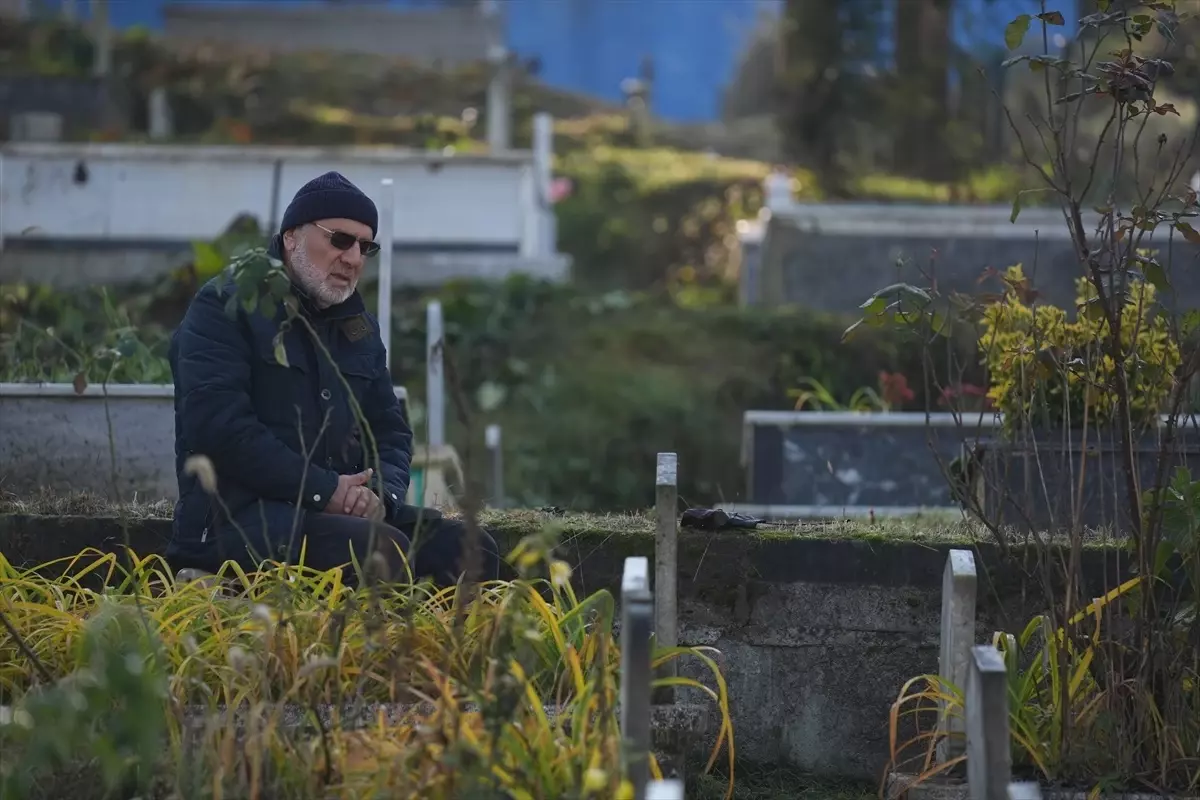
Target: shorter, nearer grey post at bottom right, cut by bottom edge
989	748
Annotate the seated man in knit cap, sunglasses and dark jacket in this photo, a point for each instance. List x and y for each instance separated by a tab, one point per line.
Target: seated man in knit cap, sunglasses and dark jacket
296	474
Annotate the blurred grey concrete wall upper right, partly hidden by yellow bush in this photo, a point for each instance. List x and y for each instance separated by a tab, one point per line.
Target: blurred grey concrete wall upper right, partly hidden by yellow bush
832	257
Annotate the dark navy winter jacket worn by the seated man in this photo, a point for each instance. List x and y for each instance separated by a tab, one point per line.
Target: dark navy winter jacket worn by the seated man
278	436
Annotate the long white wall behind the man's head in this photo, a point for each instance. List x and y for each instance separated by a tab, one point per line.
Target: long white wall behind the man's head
89	213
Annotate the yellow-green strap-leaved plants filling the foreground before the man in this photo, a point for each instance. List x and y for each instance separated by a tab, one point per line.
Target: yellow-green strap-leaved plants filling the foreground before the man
471	684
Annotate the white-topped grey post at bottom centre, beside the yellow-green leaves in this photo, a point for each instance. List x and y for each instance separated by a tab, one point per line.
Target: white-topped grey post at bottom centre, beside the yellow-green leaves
637	618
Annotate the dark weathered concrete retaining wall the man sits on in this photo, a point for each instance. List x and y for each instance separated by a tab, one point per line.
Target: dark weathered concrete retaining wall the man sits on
815	637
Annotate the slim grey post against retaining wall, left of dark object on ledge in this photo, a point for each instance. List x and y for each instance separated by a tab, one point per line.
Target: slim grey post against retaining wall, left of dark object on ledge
667	566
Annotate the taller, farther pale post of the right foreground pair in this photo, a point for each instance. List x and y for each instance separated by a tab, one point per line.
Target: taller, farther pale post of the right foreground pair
959	590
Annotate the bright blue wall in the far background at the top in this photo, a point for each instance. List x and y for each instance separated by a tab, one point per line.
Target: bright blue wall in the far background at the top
591	46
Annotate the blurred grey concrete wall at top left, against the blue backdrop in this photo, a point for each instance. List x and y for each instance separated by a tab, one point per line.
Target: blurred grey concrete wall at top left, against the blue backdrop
447	37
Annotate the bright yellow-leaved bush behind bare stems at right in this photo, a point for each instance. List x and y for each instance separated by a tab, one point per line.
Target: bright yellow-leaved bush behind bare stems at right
1048	371
